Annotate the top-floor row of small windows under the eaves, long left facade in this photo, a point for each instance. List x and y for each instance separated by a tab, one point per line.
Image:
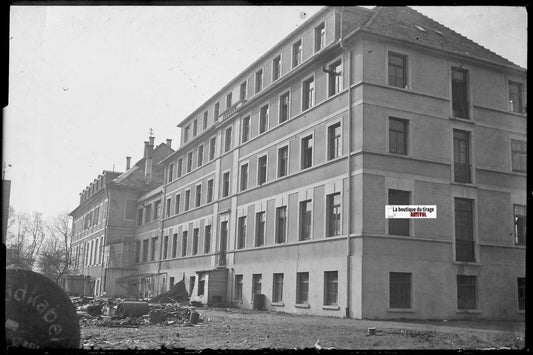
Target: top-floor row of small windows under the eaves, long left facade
297	50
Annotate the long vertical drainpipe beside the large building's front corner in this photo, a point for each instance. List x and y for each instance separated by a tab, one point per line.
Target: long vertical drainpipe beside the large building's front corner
348	171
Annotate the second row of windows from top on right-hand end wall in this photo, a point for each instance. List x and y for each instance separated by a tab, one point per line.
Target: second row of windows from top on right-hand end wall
398	144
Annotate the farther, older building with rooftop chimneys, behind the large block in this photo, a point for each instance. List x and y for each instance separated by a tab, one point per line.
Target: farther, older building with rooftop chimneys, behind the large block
104	222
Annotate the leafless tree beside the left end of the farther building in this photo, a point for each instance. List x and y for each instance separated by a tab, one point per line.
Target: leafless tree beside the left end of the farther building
55	259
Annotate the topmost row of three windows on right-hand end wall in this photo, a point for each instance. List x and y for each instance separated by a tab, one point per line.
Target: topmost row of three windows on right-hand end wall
398	77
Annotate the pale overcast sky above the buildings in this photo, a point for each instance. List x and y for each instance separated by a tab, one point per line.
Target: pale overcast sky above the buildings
87	83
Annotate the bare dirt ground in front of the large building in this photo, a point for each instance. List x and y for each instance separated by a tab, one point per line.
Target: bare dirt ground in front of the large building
236	329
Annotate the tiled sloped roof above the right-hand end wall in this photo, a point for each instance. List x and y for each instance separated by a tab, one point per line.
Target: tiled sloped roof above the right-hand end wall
408	24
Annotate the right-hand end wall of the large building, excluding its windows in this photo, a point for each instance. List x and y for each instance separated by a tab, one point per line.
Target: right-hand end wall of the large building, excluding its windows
429	251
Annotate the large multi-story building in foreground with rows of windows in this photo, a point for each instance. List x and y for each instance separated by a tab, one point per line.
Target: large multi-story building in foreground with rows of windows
281	179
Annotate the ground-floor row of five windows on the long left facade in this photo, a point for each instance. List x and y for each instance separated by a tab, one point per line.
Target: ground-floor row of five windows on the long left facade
330	298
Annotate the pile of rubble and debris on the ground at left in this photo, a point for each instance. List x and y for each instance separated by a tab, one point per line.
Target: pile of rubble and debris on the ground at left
93	311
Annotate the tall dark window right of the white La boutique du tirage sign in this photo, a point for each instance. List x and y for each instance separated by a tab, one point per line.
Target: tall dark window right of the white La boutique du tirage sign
464	230
